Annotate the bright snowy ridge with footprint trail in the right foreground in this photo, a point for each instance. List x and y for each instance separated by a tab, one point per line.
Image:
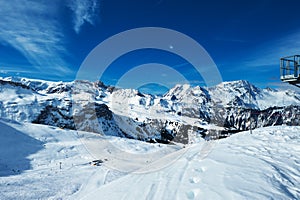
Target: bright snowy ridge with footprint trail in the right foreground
264	165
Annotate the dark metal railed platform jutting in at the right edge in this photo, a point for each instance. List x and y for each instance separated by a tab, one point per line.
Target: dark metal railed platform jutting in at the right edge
290	70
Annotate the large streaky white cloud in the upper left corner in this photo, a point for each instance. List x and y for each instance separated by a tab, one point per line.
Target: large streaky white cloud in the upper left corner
31	28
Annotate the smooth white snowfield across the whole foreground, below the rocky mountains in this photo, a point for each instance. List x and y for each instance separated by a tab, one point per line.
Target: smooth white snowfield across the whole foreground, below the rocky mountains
43	162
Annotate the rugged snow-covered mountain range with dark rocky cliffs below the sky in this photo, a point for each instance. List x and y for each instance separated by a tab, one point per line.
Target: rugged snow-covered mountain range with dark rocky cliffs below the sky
184	111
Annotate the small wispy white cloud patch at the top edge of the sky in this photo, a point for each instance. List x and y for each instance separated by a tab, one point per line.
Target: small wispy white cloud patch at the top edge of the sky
84	11
